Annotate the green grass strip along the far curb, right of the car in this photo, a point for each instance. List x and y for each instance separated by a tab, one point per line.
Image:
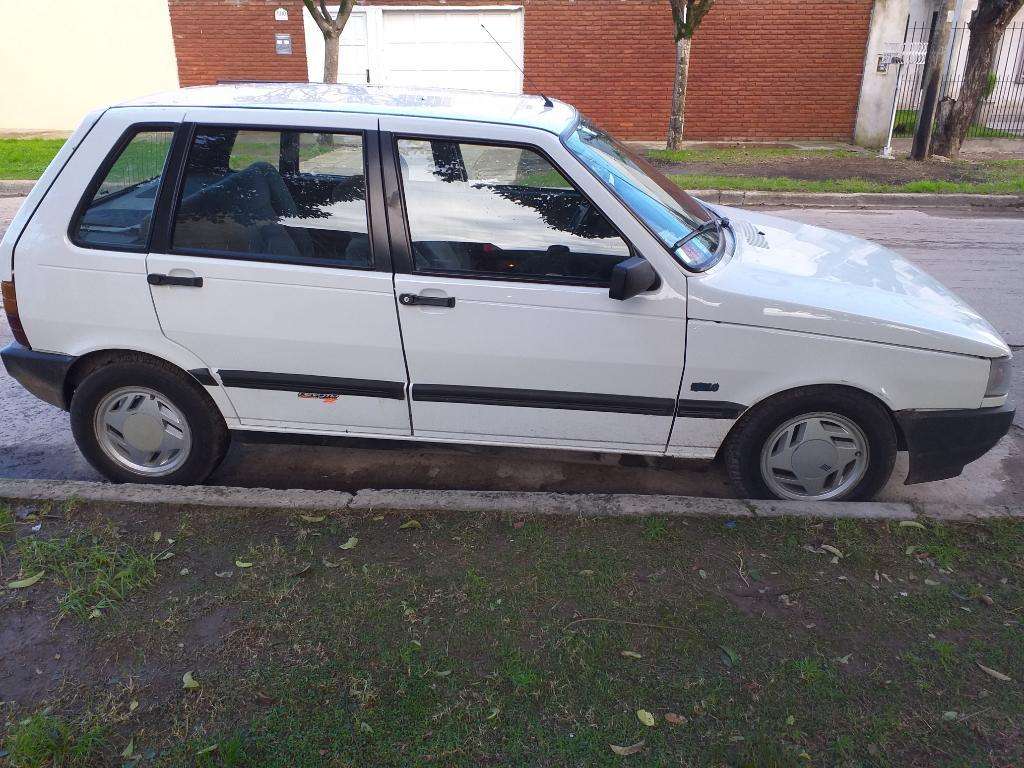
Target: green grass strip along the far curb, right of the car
1010	185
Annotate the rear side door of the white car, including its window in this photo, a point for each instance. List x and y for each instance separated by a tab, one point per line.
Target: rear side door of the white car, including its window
272	266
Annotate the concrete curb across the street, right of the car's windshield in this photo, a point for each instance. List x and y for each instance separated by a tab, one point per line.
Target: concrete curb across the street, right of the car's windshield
753	199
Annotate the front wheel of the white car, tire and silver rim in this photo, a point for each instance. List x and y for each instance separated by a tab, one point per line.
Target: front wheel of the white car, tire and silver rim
851	426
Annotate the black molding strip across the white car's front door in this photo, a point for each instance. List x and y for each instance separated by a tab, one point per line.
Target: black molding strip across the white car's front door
613	404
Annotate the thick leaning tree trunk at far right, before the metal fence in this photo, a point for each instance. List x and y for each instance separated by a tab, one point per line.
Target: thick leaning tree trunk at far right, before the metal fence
987	29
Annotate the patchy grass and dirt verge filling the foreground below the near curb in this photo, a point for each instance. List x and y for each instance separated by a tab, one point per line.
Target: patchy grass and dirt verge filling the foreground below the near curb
475	641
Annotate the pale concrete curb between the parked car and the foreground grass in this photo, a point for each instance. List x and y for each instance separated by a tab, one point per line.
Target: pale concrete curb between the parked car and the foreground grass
482	502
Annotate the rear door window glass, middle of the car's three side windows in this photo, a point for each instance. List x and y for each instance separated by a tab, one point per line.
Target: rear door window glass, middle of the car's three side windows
277	196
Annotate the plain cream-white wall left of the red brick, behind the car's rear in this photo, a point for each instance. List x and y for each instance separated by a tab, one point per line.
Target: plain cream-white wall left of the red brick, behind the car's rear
61	59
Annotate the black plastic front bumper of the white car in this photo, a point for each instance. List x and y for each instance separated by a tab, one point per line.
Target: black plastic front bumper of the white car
943	443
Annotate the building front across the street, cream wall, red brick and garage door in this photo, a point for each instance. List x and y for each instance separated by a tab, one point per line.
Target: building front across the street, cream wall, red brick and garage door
762	70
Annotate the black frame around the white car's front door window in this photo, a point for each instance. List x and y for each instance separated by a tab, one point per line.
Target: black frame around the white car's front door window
400	208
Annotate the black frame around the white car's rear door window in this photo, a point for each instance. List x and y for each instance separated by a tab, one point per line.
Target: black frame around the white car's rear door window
378	262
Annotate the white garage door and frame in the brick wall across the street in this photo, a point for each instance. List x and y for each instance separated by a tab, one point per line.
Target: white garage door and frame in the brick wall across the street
425	47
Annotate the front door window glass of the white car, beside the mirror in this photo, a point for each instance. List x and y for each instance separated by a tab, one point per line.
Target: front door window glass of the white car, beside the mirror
502	211
